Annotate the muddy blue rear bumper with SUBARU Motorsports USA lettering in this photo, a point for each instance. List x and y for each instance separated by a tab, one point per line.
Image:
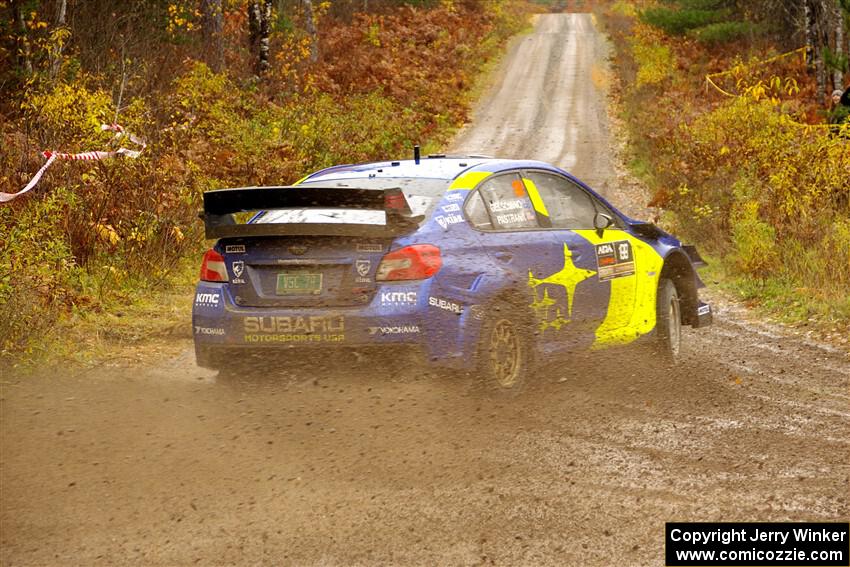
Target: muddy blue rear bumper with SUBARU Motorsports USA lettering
399	315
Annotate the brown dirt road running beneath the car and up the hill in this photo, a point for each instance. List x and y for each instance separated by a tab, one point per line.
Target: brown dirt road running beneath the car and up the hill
331	463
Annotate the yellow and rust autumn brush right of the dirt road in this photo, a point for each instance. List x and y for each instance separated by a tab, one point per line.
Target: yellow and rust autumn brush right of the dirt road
748	168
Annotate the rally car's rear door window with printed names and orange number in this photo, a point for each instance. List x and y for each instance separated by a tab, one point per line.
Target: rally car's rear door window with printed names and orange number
507	203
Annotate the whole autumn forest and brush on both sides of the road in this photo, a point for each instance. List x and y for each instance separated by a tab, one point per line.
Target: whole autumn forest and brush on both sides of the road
241	92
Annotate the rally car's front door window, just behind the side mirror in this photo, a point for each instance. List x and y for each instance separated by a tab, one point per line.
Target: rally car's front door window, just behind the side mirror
569	206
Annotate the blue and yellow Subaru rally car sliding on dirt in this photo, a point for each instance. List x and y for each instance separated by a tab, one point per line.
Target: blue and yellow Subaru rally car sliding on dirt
484	264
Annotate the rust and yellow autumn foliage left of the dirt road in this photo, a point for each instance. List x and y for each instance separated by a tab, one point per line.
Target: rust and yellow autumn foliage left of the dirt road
95	235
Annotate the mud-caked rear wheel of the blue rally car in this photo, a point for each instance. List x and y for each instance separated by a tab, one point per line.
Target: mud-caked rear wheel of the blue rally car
504	352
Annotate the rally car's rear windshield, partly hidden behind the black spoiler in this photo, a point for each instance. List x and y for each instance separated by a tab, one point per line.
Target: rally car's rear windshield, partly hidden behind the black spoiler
422	196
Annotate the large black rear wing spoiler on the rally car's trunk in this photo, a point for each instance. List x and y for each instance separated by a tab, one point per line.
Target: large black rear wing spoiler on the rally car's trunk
220	206
